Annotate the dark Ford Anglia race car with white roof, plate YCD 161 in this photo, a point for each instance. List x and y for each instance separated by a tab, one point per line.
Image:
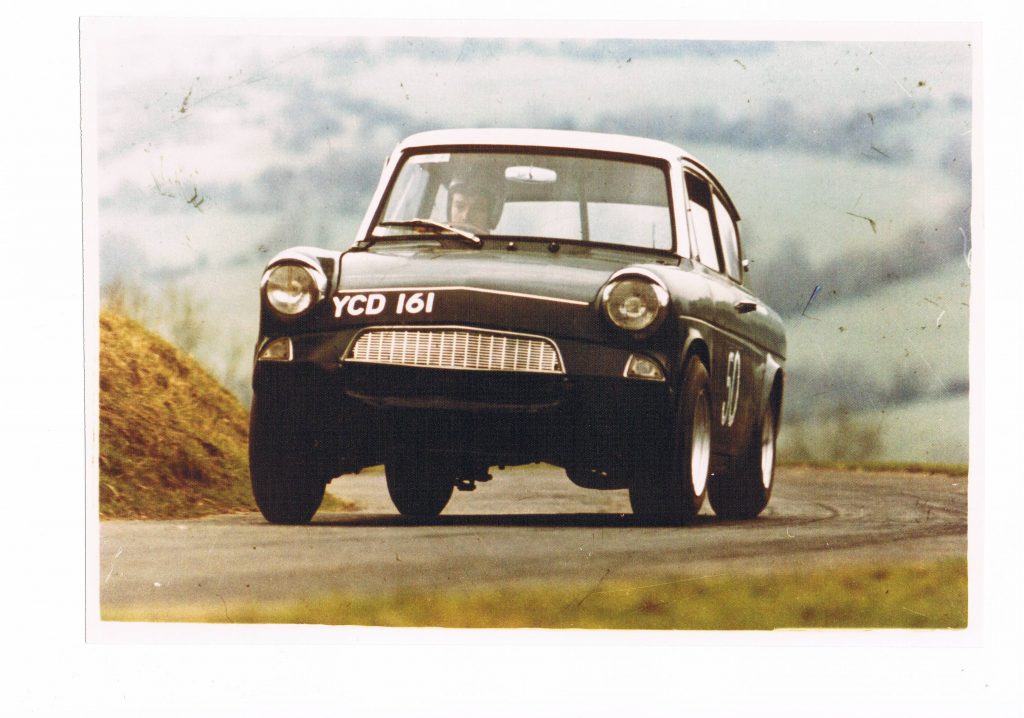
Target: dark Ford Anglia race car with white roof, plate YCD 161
520	297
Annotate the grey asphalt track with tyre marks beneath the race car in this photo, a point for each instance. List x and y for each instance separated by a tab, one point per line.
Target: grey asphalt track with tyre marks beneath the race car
528	527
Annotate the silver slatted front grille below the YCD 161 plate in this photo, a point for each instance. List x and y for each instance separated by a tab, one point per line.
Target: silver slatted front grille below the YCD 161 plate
457	348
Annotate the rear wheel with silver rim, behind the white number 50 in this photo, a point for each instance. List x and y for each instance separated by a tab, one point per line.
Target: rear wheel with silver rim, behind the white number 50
746	494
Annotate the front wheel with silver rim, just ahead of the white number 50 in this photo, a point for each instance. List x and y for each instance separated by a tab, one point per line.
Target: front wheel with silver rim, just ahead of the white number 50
673	491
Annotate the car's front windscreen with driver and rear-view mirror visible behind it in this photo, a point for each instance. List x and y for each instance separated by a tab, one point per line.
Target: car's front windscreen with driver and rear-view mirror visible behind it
544	196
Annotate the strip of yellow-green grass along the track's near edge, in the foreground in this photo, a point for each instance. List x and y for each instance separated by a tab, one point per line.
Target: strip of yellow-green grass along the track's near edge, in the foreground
932	596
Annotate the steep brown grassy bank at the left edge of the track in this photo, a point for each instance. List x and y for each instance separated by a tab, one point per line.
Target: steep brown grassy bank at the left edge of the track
173	441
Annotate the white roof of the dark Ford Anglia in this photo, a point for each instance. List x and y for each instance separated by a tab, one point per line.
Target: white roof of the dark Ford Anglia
568	140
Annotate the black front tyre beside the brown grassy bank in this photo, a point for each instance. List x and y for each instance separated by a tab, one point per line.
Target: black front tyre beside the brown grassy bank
283	466
